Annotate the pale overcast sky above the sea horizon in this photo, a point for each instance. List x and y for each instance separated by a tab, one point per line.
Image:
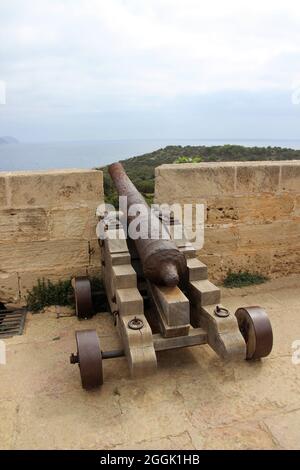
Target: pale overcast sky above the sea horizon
132	69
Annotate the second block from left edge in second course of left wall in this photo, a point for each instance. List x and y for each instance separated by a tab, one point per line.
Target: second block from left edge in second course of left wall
79	222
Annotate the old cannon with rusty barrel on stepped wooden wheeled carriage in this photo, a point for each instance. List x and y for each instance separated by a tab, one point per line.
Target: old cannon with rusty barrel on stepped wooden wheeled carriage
159	296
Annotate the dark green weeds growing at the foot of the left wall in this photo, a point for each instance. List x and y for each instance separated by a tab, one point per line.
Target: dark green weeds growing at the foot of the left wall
46	293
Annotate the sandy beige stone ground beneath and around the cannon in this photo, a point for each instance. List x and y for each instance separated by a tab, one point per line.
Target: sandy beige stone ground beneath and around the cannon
195	401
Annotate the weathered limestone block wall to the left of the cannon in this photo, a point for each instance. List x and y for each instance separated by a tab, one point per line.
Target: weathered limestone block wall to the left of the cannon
47	227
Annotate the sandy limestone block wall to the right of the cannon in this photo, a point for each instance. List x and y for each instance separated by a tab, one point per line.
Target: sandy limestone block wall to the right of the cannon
252	212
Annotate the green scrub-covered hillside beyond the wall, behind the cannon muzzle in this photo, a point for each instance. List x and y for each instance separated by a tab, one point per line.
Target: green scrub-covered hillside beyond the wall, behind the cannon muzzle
140	169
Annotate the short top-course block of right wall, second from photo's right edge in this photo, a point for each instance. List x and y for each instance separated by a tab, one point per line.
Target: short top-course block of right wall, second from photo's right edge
257	179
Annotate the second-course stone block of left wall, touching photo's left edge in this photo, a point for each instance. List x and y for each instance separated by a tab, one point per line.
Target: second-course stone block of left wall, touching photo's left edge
23	225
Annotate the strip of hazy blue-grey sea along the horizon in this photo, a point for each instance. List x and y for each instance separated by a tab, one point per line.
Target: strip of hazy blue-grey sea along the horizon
92	154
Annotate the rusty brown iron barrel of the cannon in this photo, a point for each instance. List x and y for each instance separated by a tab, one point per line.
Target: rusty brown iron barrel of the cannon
162	262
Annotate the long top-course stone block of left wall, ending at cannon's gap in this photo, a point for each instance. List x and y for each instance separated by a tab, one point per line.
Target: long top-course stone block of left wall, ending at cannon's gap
55	188
